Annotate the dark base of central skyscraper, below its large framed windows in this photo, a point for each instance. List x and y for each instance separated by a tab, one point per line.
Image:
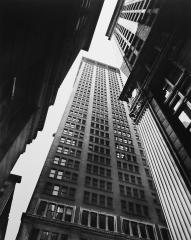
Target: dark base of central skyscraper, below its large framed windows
38	228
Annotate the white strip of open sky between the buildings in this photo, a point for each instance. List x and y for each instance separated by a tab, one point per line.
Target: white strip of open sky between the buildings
31	162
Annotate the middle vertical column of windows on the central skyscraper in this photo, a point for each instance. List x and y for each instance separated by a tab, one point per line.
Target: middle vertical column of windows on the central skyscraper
98	166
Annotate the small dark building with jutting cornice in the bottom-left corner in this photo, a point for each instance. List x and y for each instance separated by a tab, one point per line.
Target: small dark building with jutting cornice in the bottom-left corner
6	197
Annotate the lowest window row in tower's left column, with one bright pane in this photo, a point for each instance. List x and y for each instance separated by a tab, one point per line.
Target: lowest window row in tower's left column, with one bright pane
59	190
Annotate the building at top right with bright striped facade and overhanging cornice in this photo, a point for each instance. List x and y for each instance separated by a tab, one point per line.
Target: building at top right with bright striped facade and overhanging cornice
130	26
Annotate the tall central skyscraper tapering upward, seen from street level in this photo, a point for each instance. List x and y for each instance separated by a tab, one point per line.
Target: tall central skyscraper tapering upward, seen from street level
95	183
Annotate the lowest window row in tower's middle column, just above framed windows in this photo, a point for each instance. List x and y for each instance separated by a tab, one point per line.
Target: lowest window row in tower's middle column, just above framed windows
98	200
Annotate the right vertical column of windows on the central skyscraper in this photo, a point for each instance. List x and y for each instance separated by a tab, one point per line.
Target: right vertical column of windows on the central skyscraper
130	183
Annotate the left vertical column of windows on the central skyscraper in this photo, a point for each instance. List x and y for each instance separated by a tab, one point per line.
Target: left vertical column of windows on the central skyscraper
66	163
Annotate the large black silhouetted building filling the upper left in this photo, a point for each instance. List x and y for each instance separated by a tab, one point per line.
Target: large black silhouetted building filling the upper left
38	44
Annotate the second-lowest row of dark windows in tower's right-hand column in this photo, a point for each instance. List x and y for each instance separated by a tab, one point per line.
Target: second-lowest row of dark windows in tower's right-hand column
132	192
